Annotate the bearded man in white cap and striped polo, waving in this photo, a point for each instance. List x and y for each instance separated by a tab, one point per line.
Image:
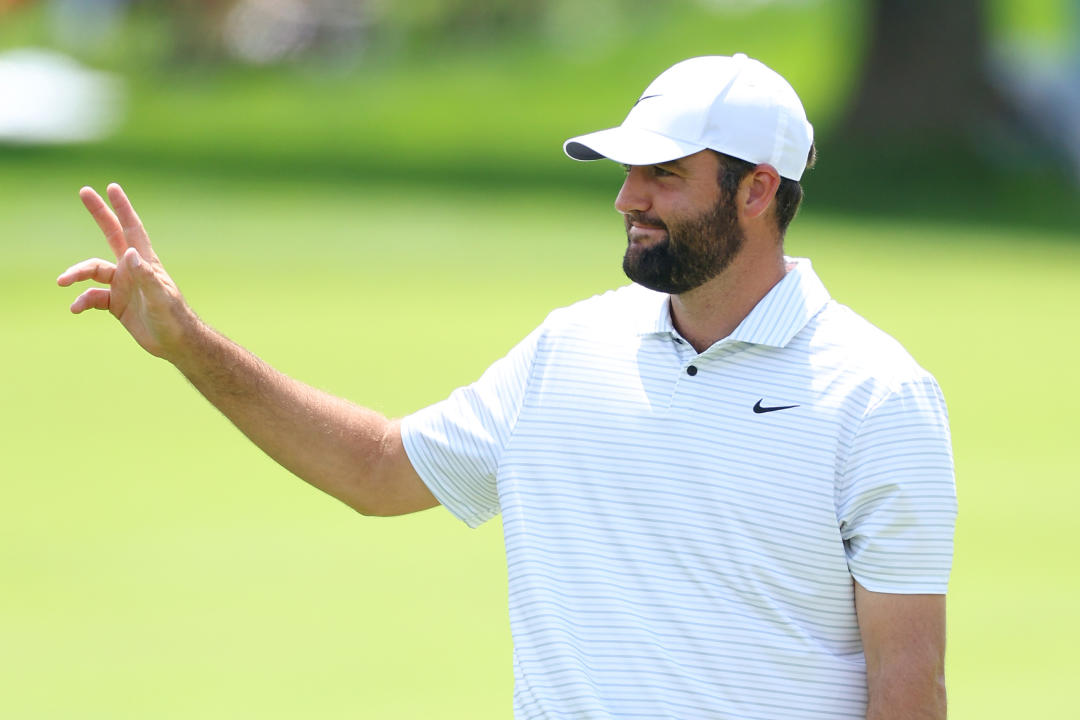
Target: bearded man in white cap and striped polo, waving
724	495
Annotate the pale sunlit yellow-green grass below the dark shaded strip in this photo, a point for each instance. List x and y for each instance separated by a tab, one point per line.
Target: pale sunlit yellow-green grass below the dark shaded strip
156	565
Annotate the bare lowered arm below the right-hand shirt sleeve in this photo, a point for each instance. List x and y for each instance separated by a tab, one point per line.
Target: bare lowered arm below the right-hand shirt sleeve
904	644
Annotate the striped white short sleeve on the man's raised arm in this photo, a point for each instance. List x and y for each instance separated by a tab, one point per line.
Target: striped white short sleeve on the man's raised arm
456	445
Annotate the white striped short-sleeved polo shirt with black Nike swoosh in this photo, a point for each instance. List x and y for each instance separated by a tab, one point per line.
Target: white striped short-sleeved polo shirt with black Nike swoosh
683	529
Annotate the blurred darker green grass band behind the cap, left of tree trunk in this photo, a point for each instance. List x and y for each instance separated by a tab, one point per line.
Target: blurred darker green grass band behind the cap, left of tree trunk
488	113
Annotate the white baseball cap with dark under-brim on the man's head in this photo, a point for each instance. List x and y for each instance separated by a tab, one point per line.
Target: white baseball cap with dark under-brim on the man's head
734	105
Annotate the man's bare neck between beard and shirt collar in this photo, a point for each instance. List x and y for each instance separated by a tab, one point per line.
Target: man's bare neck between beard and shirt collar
711	313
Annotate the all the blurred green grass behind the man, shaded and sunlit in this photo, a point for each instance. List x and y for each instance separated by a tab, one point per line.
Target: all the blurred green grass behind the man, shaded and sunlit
385	235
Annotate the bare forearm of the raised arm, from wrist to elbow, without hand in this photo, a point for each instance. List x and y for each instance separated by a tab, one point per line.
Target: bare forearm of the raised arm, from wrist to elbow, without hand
343	450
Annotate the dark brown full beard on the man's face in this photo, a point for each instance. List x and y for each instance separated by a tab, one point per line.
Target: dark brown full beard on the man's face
692	253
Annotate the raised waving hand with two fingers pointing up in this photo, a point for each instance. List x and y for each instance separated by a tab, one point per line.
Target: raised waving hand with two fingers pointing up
140	294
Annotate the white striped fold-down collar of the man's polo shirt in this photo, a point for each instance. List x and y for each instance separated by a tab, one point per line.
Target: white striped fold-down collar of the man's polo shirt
775	321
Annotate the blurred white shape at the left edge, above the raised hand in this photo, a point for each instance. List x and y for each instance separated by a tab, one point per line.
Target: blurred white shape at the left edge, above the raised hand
47	98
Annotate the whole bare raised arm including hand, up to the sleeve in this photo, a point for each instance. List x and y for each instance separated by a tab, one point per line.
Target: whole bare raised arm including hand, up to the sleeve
350	453
